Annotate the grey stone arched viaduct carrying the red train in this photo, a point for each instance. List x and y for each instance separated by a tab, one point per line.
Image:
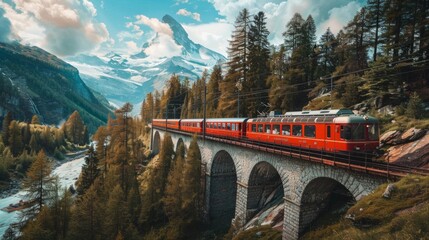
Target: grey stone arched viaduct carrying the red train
238	178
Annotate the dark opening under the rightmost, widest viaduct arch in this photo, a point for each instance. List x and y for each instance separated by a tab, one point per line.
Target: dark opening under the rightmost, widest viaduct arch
322	194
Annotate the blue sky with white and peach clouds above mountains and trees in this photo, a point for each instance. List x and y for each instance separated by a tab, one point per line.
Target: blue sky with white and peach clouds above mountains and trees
70	27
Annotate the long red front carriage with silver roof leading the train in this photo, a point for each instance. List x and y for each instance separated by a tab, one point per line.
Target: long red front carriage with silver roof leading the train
329	130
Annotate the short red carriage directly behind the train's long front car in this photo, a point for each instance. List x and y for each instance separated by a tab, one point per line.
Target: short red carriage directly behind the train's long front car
226	127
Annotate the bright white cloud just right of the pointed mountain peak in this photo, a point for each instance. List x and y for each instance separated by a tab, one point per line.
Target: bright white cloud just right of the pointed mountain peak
212	35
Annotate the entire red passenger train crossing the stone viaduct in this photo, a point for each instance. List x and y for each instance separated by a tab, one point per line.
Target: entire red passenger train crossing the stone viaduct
328	130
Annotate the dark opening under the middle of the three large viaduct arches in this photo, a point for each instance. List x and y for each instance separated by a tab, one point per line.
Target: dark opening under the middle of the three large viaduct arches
265	186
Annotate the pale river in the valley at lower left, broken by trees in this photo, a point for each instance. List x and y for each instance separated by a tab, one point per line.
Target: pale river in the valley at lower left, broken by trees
67	172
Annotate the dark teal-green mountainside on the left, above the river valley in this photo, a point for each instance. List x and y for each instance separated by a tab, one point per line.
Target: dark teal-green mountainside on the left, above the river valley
36	82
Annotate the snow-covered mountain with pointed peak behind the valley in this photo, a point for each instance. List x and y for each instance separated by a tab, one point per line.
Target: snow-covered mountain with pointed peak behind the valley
122	78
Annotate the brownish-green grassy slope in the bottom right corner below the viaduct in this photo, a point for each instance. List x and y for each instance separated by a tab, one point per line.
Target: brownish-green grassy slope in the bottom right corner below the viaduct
380	218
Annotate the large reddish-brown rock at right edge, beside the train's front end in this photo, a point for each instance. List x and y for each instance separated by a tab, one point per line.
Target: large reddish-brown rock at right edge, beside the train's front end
413	154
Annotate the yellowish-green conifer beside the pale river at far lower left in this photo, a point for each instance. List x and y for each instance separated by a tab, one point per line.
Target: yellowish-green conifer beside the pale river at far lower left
39	184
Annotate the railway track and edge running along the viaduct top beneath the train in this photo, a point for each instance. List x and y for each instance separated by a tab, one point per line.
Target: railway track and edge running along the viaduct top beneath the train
355	161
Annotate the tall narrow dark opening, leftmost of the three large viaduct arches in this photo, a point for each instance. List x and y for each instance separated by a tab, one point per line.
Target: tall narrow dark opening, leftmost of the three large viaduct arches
223	191
